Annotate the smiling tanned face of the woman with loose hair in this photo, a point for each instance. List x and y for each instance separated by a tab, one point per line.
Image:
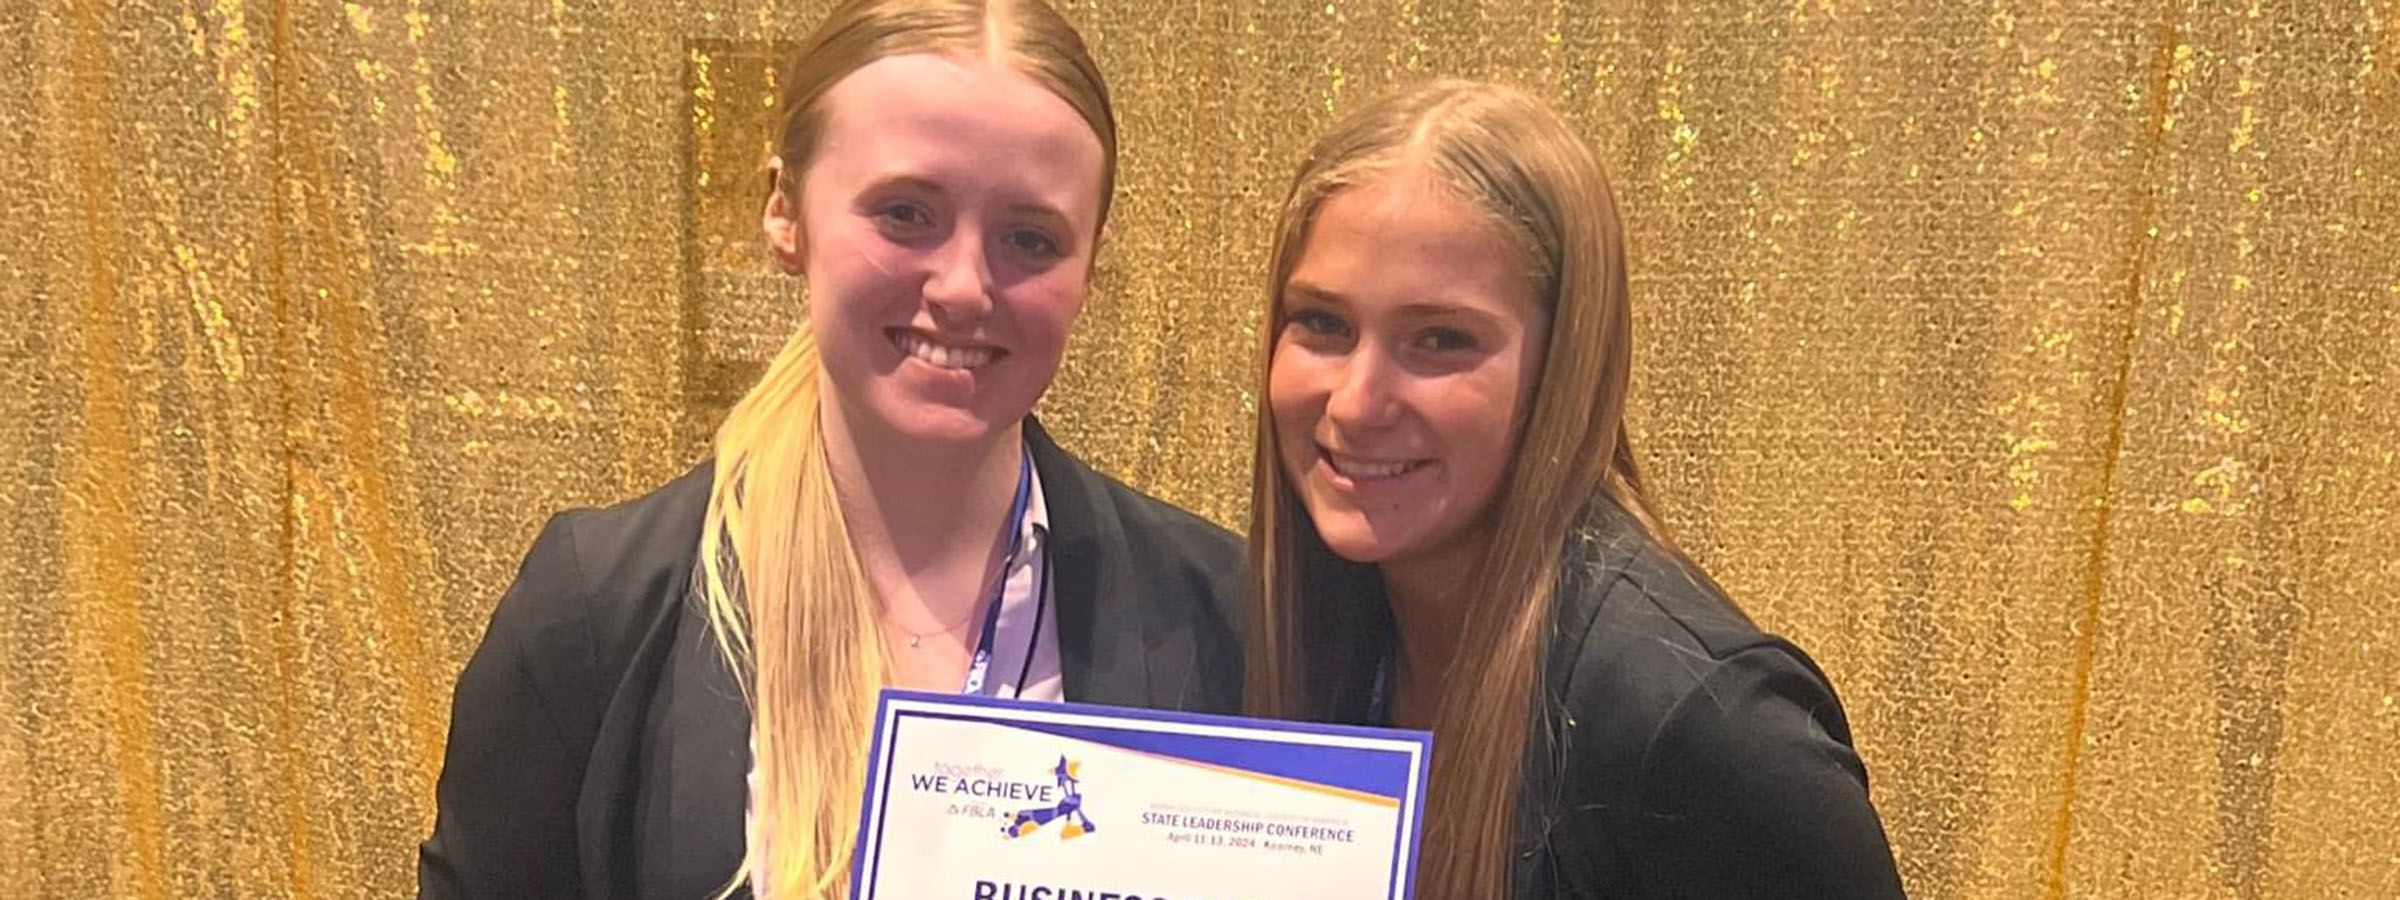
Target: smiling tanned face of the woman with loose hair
1410	340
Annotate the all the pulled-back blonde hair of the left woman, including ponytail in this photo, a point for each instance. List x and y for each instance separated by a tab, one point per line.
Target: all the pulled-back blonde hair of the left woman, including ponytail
779	577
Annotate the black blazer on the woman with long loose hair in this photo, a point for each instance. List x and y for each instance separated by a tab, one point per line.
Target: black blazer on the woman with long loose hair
1681	752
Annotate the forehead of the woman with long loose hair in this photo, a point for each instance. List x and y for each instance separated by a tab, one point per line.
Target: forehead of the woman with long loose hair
1405	239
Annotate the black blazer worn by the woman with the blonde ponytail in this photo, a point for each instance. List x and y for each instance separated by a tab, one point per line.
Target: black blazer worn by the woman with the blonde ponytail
601	750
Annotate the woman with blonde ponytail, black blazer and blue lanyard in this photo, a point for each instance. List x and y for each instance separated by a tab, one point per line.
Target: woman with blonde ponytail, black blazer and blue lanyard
676	695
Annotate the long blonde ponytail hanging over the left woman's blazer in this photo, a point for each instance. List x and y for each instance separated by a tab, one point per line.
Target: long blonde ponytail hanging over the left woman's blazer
776	560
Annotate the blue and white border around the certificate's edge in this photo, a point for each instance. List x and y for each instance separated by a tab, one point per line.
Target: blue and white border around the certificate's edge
954	707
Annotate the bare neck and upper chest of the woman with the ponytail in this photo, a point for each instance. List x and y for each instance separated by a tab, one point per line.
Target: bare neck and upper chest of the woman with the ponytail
925	517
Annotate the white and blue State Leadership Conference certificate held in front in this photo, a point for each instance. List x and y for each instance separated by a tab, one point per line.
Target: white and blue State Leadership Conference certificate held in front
1000	800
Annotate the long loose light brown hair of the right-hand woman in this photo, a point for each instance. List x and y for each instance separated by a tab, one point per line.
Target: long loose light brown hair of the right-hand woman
1319	620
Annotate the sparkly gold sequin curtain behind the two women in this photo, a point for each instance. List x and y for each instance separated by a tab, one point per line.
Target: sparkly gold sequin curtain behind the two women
2034	364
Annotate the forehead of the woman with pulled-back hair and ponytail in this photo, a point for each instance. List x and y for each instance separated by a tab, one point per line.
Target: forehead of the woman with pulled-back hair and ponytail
954	119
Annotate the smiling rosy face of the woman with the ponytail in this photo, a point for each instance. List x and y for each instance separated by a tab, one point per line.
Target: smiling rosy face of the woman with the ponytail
947	227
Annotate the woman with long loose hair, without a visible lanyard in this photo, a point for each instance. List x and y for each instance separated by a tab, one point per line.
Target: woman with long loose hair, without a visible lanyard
1451	532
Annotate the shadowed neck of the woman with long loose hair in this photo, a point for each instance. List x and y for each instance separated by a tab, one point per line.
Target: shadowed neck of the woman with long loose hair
1432	599
